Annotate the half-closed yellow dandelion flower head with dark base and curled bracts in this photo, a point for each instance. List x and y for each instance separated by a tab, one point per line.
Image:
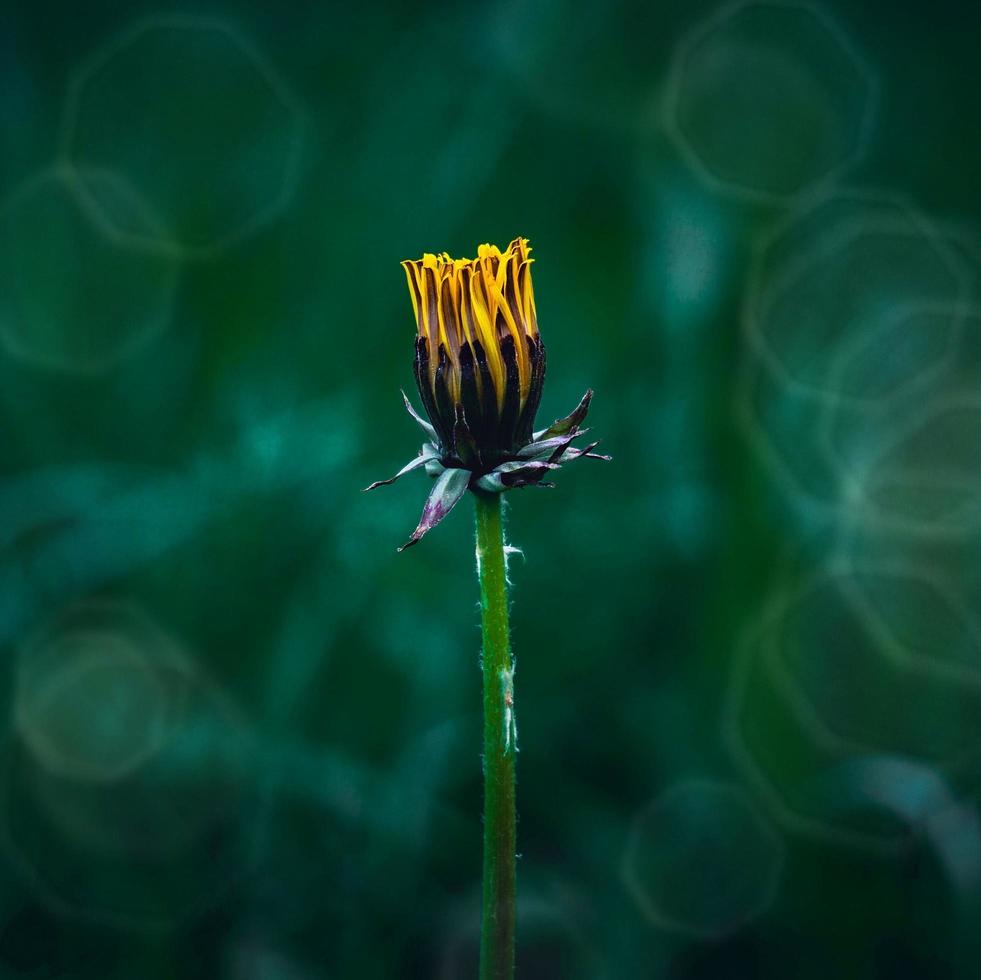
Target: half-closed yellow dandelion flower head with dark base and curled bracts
480	368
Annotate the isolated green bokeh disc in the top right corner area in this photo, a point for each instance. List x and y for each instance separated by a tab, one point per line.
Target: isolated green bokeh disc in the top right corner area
768	99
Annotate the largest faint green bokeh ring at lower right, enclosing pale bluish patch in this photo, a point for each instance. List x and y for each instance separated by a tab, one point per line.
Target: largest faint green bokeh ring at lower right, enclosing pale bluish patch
831	761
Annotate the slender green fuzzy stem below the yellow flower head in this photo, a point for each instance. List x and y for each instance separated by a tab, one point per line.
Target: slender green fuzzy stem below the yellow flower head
498	915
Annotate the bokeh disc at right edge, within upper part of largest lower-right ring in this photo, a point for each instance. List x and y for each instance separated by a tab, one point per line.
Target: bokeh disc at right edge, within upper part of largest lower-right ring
834	646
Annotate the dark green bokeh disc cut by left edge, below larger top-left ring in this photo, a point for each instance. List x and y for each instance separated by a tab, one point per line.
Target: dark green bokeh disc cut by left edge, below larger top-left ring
73	296
